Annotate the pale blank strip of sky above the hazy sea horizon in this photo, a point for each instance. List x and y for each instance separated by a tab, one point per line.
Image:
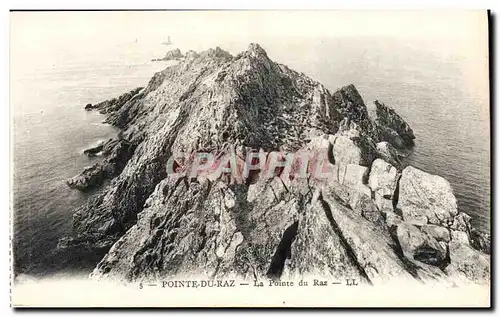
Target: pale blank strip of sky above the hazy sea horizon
39	27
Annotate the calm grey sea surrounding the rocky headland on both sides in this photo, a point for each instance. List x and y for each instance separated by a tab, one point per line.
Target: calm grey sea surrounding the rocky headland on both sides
432	90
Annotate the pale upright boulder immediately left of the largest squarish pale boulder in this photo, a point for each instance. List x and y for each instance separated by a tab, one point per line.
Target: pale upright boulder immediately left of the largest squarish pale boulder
383	182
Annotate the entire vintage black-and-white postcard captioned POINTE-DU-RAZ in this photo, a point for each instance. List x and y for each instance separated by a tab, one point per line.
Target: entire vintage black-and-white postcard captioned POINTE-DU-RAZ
197	158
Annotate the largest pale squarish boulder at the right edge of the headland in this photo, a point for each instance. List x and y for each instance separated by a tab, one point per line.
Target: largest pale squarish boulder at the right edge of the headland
426	198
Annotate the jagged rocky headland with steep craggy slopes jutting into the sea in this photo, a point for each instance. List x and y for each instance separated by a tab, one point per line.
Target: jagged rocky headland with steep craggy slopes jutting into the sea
374	219
